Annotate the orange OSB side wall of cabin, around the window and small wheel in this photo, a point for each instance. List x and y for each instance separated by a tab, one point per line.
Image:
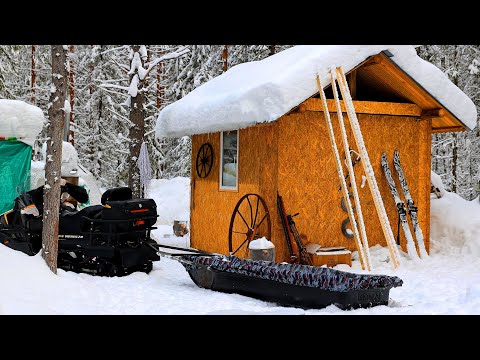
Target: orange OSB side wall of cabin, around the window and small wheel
211	208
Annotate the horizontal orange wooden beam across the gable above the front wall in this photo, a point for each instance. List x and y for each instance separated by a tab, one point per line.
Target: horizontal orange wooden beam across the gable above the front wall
364	107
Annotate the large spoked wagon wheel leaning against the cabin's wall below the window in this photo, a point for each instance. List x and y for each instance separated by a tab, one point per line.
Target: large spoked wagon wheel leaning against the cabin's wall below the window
250	220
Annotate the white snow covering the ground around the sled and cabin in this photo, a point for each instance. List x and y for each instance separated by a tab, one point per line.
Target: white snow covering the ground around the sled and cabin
447	282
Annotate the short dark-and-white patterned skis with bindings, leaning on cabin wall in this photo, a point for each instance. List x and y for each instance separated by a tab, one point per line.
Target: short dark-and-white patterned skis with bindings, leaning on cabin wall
402	210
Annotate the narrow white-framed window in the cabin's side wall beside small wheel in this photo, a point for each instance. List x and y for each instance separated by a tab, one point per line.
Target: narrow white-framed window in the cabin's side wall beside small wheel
229	160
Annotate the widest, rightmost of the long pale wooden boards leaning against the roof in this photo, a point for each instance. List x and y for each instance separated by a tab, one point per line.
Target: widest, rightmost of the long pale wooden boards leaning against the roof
372	182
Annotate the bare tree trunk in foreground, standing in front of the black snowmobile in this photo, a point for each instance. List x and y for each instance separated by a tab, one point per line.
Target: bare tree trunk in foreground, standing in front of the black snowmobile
51	192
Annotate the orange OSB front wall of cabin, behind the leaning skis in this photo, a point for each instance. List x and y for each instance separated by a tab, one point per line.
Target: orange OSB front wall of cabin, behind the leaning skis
308	180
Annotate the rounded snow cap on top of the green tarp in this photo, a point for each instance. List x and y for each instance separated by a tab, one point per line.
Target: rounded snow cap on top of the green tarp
21	120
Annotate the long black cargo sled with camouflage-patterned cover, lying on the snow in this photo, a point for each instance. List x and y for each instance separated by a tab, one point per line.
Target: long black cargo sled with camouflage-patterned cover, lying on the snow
286	284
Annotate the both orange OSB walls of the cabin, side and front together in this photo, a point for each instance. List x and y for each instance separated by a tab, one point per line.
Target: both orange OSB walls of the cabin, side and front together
293	155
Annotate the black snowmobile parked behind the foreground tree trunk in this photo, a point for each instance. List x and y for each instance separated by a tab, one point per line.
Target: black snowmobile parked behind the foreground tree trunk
112	239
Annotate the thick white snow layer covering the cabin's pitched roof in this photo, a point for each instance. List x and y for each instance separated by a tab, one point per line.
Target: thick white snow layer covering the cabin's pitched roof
263	91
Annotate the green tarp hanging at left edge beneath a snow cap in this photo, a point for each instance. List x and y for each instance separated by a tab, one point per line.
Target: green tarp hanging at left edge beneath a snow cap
15	164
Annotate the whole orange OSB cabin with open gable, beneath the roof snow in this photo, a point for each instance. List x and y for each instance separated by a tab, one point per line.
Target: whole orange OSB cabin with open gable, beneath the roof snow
293	156
